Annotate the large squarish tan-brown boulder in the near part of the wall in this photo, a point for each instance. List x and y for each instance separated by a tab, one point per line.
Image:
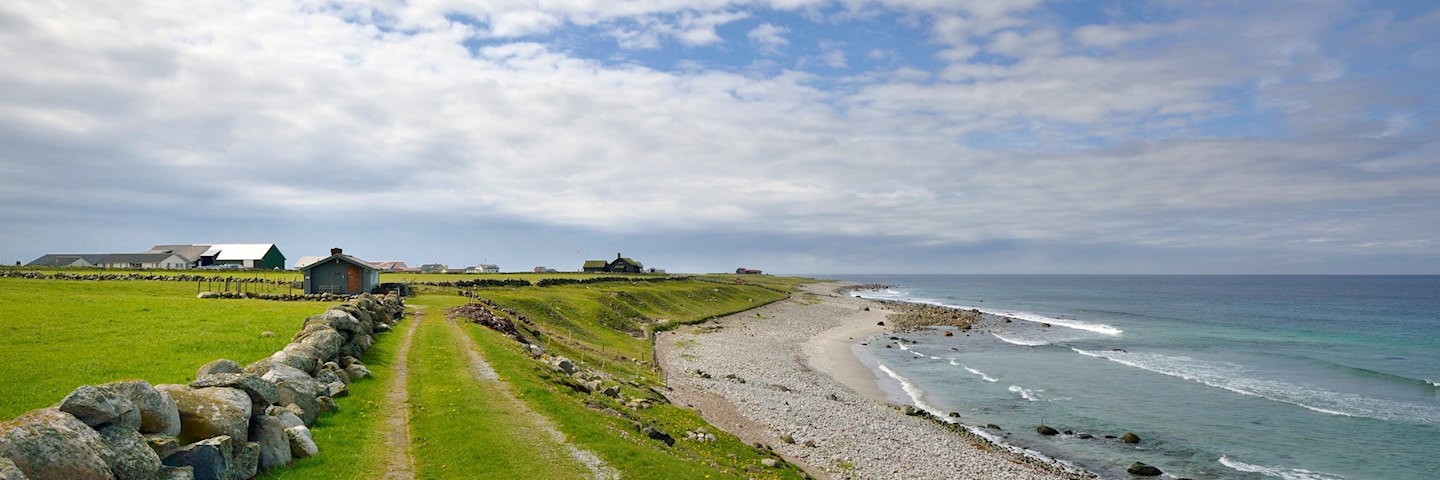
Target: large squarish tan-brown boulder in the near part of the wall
212	412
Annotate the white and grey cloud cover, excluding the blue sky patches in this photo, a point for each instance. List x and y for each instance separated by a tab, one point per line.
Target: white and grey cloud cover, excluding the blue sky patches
282	109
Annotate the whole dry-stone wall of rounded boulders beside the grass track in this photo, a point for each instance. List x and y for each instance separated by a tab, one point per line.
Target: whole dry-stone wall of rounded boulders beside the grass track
230	425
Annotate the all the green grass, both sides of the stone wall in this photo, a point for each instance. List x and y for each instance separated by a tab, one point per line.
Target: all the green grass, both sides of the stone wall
63	334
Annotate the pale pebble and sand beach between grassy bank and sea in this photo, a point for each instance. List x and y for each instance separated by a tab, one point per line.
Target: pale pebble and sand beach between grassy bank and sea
786	377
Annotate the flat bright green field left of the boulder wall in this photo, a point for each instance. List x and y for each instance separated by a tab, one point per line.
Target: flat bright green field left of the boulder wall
57	335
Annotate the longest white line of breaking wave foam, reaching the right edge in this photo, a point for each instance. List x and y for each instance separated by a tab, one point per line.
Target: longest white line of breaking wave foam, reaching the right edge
1232	377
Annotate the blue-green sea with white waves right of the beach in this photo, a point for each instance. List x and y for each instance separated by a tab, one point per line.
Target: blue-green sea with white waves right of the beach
1222	377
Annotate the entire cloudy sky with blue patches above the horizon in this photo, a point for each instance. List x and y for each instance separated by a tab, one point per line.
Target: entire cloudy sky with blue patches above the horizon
701	136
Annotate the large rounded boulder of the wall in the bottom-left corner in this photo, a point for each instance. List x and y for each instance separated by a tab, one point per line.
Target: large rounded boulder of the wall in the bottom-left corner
50	445
